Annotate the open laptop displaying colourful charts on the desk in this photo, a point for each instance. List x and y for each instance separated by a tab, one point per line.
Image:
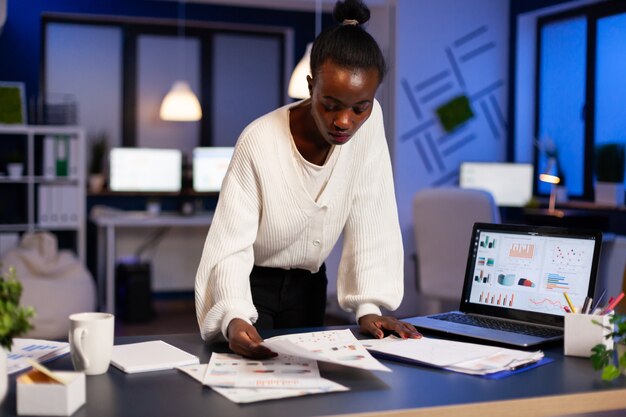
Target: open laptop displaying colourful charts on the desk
514	283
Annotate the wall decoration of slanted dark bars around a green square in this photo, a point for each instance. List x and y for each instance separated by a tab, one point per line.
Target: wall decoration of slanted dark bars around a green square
453	106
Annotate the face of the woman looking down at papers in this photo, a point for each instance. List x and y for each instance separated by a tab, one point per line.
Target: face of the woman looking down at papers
341	100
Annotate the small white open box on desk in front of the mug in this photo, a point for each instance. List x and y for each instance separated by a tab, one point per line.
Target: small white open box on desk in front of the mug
51	398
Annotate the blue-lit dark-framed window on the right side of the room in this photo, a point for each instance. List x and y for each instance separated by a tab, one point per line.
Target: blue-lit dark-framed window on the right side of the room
580	90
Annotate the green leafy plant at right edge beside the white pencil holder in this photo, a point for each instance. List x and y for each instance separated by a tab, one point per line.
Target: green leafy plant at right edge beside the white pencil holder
612	362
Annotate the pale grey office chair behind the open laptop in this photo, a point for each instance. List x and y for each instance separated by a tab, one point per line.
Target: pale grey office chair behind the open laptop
442	223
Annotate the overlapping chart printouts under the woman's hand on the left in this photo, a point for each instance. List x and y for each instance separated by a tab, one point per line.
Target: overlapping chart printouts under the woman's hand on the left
294	372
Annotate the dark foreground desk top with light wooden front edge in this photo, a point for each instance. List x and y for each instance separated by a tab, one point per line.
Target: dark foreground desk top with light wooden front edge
409	390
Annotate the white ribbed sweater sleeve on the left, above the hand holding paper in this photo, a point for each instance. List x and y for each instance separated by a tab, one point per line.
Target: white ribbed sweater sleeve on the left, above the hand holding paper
222	287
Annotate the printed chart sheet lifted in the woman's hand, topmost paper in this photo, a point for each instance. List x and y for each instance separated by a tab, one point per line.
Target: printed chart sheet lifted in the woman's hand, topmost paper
335	346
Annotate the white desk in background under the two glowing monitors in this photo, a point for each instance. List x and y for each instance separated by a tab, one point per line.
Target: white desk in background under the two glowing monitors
109	220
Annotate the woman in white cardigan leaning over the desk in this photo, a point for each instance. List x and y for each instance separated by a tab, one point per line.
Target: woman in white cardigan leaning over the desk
300	176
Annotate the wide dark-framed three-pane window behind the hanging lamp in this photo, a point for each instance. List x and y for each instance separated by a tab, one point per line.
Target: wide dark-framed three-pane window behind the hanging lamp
119	69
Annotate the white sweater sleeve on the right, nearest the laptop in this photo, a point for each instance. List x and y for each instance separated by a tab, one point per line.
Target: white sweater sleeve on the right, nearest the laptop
371	273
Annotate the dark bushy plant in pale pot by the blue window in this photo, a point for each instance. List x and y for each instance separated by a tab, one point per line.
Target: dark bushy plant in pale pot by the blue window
609	167
